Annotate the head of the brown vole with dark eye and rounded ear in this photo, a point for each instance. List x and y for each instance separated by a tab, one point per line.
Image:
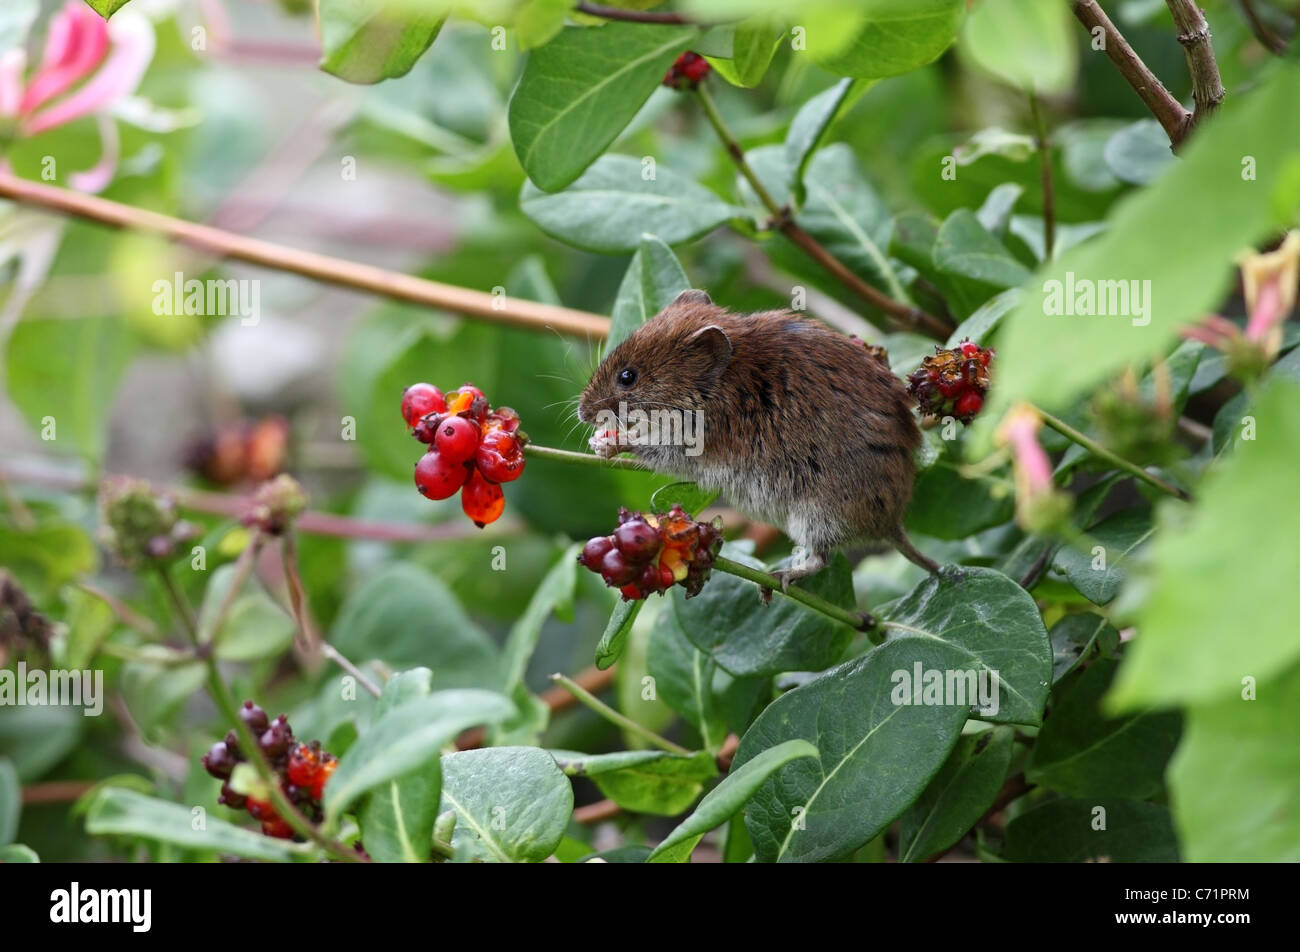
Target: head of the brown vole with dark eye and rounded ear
674	361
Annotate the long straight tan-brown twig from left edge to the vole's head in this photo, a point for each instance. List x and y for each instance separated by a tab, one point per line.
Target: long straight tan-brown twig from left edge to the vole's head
324	269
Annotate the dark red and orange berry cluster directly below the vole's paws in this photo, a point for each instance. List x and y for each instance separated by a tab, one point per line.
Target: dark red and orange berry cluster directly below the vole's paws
653	553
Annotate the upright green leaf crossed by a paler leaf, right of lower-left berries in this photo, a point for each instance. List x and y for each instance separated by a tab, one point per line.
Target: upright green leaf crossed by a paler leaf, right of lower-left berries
397	821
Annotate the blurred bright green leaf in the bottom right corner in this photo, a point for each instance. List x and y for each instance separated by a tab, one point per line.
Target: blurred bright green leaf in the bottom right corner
1234	780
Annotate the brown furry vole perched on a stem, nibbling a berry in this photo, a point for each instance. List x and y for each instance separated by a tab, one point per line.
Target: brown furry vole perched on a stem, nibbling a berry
803	427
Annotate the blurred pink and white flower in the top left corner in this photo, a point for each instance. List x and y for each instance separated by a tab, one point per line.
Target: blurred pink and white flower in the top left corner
86	70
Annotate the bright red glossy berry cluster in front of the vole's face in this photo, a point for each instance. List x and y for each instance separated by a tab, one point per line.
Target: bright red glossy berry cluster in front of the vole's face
473	448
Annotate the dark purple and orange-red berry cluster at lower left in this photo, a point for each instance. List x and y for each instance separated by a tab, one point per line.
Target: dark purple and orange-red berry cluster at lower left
304	771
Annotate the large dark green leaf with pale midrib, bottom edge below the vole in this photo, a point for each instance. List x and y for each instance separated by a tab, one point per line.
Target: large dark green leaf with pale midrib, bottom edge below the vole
877	756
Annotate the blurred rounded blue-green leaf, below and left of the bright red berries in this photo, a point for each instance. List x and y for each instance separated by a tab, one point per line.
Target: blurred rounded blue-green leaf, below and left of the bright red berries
406	617
